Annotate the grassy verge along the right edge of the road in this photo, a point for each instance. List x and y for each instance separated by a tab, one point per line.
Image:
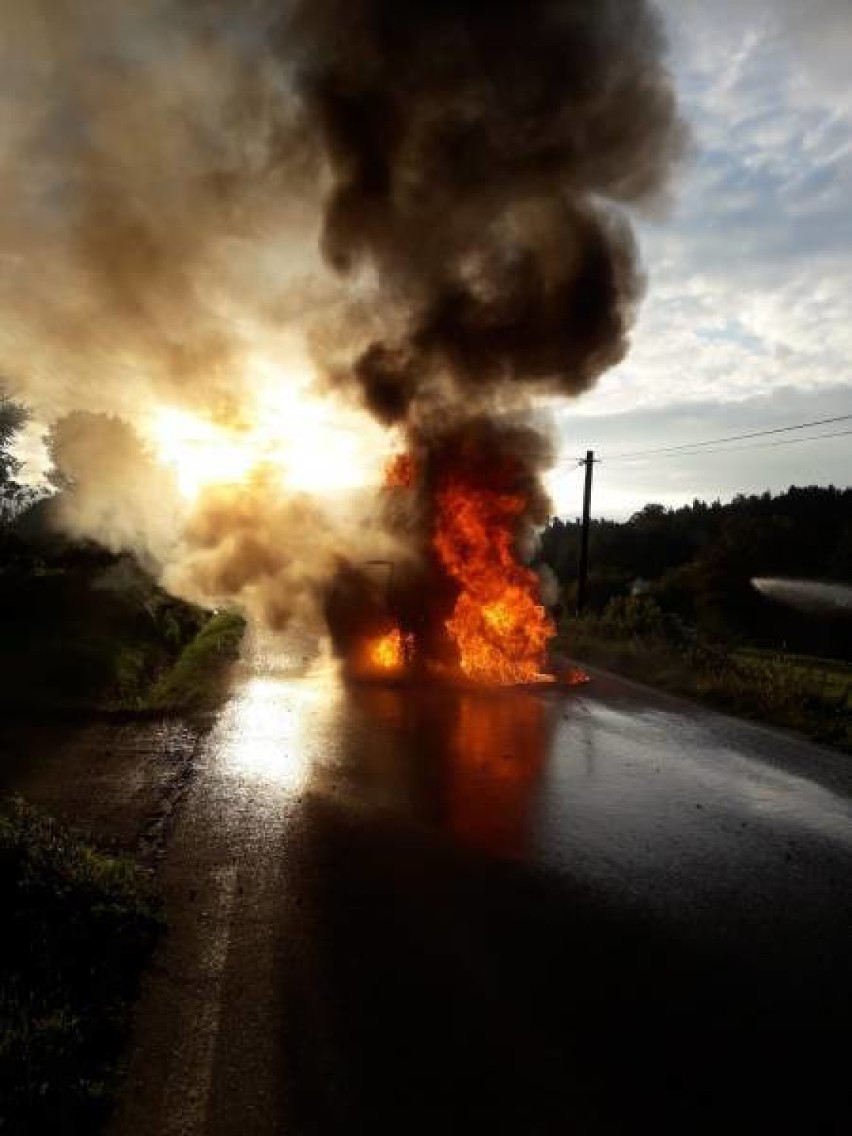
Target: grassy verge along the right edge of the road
813	697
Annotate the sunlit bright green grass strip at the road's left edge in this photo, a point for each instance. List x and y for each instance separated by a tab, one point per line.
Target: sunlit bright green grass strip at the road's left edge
197	680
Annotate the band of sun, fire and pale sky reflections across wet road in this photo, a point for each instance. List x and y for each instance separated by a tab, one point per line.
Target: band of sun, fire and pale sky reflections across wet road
655	804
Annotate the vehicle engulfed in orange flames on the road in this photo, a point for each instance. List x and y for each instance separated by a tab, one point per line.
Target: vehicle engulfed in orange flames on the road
466	607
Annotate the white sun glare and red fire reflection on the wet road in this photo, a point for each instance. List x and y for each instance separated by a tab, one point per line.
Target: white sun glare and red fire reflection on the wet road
465	761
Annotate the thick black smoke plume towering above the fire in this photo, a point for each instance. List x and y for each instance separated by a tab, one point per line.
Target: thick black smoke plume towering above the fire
478	152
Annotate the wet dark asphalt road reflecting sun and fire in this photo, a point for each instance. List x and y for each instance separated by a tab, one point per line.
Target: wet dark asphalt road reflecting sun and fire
596	911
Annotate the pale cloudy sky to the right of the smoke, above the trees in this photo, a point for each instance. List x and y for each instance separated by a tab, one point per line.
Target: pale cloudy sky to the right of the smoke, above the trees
747	323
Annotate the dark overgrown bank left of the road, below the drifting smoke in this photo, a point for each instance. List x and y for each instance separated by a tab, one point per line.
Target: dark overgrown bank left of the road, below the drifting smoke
87	631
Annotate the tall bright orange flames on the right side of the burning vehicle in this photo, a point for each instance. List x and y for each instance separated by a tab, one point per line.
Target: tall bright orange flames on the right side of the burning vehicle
499	628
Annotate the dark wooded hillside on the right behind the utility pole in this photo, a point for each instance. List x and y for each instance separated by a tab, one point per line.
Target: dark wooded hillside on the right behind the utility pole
698	563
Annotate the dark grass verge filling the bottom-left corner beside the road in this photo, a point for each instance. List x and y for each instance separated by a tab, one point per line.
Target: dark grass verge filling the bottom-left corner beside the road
78	928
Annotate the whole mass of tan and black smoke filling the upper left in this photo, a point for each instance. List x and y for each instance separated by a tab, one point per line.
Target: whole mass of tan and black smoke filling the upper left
427	199
